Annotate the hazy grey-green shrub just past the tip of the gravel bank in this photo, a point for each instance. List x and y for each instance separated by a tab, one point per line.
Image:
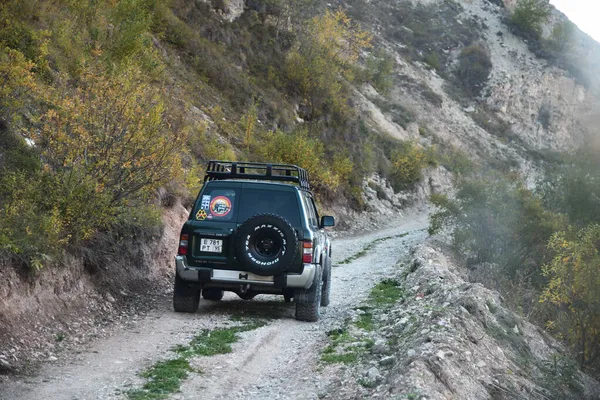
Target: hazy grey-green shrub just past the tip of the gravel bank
496	219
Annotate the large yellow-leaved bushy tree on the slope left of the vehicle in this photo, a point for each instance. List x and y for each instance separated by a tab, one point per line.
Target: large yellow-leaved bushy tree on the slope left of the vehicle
112	131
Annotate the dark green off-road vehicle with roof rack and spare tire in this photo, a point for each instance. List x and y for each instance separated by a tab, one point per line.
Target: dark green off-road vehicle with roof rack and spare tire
254	229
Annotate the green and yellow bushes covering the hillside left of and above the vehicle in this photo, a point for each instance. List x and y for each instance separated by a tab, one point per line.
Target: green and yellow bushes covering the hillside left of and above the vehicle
108	111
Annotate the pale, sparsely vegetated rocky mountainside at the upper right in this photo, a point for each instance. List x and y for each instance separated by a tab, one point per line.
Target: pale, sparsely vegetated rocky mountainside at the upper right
526	104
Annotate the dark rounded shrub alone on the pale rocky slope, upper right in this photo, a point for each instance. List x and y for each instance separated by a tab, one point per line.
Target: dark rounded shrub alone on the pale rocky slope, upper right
474	68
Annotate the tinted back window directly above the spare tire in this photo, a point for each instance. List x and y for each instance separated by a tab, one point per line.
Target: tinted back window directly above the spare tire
262	201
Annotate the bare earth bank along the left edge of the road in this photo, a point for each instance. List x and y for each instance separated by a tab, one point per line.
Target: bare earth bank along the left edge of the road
42	313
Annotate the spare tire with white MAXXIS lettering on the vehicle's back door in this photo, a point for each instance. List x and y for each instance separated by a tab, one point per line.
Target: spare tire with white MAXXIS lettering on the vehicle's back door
266	244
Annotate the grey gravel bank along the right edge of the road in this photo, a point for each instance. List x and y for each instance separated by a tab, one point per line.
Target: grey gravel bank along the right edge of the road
448	338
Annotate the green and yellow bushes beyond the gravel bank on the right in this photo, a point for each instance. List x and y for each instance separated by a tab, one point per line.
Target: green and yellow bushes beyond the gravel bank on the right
539	247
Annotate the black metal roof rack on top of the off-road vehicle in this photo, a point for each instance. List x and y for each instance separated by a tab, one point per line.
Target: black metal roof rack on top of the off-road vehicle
217	170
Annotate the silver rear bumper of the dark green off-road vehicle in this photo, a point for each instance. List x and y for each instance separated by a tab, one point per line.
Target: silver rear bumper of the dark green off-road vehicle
215	276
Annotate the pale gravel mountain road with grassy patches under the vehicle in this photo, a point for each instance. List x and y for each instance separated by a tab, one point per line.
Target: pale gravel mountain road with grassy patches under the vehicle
277	361
